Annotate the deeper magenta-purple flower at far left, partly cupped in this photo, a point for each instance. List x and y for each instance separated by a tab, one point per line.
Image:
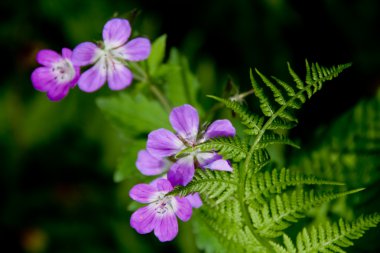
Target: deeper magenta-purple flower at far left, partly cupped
57	75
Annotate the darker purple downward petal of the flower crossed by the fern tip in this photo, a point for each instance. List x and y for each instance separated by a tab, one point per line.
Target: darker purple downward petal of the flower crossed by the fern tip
182	171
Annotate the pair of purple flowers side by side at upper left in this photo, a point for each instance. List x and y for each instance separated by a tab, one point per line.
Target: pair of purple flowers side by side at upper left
109	58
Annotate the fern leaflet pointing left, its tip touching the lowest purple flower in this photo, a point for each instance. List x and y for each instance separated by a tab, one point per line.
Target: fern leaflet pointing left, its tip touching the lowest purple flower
217	185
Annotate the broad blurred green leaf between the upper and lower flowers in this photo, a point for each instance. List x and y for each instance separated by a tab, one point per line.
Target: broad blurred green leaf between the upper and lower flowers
134	115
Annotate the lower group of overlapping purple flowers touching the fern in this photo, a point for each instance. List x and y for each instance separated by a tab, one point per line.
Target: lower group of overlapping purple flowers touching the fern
160	157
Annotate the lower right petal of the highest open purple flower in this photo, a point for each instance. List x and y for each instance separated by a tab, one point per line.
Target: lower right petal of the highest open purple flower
118	76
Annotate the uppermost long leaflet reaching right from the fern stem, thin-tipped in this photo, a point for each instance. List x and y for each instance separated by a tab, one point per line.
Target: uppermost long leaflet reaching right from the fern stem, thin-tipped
263	184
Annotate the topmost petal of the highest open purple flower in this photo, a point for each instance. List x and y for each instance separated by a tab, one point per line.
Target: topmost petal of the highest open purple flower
116	32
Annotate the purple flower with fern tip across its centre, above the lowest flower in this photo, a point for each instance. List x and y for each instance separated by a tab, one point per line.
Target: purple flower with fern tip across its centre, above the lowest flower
185	121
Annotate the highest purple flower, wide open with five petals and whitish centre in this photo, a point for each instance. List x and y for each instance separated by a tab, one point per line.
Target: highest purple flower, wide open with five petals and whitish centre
110	59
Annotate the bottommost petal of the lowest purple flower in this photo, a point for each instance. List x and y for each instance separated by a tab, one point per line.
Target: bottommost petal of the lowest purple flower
166	228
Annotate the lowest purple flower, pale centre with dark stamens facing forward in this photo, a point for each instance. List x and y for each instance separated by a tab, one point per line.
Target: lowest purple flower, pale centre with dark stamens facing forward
160	213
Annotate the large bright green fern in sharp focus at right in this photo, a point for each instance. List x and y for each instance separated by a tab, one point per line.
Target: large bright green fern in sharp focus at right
248	208
